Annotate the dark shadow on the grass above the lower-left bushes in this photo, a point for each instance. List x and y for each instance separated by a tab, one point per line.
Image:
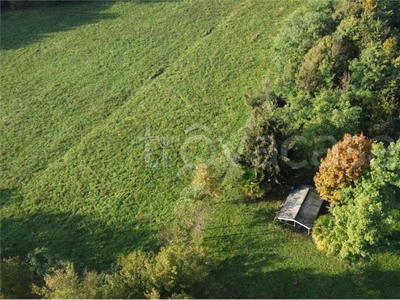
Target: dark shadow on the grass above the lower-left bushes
75	238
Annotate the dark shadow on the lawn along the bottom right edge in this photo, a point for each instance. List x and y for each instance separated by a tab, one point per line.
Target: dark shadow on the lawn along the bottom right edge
243	277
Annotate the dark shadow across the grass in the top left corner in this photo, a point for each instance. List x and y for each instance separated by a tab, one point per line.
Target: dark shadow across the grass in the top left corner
25	26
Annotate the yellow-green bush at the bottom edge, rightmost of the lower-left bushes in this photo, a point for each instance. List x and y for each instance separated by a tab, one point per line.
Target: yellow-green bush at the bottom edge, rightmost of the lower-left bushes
178	269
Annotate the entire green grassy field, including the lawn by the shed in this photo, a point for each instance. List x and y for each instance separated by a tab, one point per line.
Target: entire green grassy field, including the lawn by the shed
105	106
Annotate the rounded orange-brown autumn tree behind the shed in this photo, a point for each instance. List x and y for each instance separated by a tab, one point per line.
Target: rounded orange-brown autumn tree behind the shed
343	166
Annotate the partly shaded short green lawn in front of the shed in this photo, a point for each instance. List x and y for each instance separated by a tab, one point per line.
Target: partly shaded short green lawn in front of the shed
260	258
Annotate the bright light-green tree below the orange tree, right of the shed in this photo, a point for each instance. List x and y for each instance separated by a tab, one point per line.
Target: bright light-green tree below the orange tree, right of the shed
362	224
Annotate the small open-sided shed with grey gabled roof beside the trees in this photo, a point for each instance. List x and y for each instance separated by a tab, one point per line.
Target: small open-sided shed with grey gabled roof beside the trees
301	207
